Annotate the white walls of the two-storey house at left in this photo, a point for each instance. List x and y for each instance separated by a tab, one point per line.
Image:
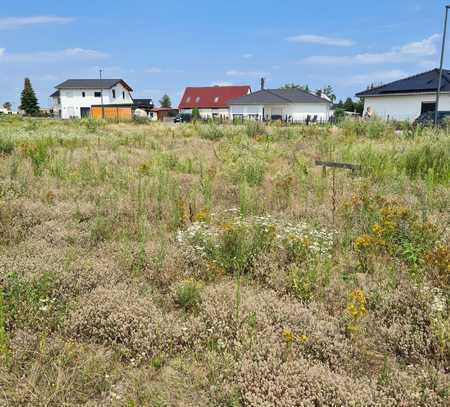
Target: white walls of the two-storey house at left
72	99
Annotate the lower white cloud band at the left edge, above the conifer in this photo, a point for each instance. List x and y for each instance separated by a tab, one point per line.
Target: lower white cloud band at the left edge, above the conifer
51	56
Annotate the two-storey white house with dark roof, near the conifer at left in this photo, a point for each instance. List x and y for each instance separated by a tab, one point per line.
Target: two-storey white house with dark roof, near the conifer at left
75	97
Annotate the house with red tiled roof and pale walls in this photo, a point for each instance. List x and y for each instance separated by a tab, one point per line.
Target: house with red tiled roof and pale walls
211	101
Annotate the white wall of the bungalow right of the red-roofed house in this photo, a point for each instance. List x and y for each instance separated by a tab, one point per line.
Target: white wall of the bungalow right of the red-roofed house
297	111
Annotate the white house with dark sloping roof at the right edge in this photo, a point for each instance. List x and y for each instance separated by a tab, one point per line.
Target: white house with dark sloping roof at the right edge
407	99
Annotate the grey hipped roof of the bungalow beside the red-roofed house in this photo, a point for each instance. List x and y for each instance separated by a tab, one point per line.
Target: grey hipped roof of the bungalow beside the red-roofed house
278	96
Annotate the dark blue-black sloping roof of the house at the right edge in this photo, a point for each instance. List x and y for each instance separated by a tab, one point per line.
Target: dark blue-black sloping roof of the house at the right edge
423	82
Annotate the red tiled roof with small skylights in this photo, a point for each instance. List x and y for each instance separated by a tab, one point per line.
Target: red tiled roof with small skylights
211	97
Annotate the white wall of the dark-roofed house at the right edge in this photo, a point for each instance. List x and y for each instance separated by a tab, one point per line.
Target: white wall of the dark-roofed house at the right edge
404	107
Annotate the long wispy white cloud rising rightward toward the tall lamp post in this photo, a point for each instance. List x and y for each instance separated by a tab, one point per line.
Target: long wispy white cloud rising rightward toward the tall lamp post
405	53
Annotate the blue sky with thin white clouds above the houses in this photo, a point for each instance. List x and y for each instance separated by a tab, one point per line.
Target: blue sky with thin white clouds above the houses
162	47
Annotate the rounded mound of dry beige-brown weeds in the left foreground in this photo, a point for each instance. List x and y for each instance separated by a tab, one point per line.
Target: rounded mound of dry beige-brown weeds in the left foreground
134	324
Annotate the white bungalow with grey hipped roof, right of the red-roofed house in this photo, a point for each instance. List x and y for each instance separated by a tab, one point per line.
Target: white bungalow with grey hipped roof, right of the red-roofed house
281	104
